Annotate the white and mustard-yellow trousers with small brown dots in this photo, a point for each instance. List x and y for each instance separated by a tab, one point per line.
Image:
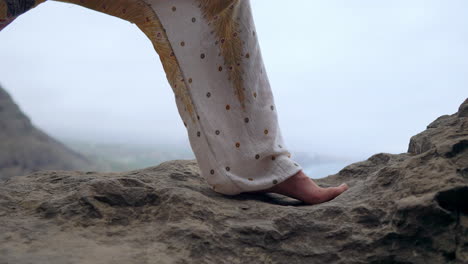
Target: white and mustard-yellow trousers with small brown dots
211	55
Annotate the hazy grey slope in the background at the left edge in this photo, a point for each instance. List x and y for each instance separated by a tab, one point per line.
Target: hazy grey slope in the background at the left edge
24	148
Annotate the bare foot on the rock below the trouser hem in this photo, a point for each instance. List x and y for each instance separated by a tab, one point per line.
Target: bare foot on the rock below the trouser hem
303	188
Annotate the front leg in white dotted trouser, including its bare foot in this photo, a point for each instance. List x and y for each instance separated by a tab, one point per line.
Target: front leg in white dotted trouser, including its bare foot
236	137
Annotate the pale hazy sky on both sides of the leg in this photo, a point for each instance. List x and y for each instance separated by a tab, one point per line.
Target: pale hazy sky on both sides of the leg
350	78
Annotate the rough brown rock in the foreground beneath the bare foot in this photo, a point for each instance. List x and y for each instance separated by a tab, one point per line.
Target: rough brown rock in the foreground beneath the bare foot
401	208
